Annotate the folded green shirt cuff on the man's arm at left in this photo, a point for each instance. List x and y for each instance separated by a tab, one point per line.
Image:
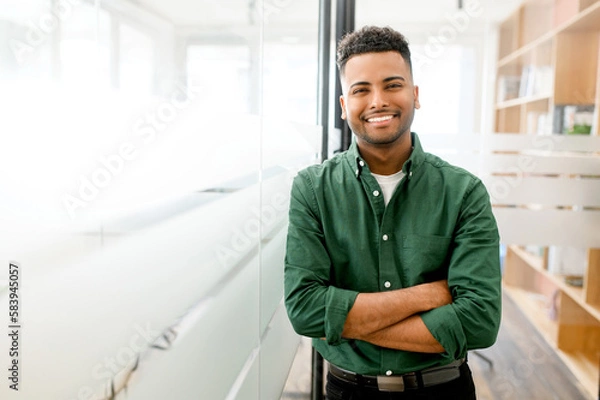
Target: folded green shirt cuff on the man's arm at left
338	303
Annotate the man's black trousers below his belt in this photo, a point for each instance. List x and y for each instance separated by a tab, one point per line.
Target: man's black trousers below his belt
462	388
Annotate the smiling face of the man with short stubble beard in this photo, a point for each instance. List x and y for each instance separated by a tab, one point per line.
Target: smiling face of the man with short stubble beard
379	97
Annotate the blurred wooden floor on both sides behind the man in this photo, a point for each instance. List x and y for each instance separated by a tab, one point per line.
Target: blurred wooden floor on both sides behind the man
524	366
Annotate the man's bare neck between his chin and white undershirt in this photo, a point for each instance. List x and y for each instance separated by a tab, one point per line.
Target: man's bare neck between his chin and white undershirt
386	159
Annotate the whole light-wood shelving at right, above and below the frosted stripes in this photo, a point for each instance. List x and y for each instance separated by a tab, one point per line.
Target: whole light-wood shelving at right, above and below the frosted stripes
549	59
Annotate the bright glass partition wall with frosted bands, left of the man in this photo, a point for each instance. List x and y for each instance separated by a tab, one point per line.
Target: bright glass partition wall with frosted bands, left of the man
148	151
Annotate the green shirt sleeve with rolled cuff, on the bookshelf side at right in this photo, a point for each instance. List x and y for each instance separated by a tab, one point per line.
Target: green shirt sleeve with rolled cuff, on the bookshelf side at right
472	321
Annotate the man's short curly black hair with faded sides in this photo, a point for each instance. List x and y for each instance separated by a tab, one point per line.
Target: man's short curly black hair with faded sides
372	39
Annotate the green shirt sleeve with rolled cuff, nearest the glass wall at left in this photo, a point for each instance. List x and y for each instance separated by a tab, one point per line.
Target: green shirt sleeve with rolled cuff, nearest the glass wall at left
315	308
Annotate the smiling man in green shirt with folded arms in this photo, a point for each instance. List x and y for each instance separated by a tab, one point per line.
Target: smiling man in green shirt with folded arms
392	261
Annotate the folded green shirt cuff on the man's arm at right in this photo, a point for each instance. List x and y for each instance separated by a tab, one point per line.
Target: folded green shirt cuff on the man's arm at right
444	325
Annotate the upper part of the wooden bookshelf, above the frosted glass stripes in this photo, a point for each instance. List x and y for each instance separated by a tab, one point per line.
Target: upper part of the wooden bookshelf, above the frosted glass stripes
549	56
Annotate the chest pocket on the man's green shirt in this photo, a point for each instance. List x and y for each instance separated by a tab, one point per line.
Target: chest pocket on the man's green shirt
425	258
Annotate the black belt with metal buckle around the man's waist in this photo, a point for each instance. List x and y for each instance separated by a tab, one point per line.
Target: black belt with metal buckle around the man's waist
398	383
